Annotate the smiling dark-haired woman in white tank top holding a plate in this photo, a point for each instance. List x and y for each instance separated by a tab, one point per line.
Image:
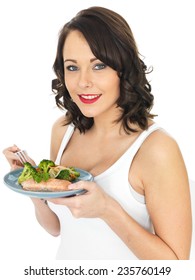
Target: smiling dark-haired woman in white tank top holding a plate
138	206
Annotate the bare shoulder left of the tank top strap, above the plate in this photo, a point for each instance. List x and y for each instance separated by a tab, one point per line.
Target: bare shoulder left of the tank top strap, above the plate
58	130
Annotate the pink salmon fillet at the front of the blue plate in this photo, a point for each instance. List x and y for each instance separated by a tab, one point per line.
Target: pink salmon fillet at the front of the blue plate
52	185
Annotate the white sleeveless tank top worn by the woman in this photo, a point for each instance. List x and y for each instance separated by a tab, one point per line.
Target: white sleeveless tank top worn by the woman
92	238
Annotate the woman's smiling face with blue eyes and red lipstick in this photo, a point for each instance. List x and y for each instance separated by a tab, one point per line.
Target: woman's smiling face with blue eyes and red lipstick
92	85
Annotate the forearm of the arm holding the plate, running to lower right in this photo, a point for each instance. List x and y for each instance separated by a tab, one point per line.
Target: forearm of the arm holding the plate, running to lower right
142	243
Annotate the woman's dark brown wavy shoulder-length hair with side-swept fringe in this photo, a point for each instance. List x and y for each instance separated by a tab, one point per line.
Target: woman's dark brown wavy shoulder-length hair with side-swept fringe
111	41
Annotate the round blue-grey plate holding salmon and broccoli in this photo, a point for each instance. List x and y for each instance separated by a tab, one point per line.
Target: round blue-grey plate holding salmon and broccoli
11	180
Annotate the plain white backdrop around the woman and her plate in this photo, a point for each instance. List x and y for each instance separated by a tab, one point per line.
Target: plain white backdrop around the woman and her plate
164	31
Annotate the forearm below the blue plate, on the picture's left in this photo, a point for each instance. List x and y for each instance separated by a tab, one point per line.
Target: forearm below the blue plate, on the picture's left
46	217
